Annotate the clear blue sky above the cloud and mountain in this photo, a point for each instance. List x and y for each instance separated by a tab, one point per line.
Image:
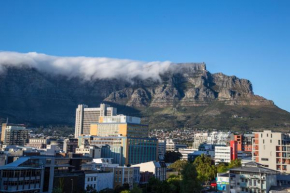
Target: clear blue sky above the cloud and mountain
246	38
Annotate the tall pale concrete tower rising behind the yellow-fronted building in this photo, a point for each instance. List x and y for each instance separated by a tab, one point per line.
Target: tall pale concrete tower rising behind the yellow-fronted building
86	116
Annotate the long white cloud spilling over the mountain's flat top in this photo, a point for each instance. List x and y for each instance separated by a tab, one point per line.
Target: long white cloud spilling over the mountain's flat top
87	68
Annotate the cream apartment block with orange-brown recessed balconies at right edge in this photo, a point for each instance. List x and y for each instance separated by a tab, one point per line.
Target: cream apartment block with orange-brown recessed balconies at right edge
272	150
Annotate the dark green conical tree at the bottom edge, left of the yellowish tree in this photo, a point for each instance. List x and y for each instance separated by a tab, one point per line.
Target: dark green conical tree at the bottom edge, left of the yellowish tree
190	183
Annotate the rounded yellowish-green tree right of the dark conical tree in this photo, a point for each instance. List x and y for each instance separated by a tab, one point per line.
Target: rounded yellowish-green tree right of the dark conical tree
205	168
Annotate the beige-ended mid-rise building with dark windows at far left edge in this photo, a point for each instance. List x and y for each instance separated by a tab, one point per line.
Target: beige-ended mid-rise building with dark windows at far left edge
14	134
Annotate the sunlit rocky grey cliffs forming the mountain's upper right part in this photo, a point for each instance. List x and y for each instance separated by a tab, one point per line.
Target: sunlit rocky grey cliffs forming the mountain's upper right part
189	85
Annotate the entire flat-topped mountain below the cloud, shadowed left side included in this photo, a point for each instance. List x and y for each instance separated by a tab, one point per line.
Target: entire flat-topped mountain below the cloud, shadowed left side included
187	96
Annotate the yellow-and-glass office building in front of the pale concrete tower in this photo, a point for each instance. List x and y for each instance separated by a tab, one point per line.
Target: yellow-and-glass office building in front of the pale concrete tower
124	139
